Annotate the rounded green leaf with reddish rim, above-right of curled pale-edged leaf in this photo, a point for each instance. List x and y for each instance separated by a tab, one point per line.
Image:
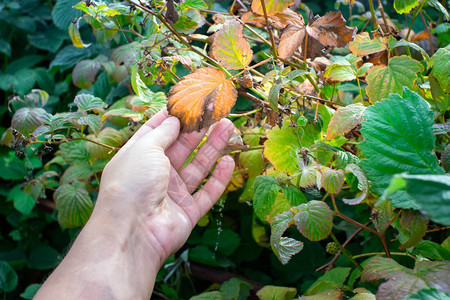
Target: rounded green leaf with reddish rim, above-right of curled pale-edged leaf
314	220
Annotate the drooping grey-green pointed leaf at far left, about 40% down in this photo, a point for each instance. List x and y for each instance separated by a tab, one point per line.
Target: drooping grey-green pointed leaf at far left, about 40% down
27	119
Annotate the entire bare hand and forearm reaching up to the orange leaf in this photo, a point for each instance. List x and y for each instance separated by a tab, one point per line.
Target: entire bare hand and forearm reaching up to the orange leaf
147	206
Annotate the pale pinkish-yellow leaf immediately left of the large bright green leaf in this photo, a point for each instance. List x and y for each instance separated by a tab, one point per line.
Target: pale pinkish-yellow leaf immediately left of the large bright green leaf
345	119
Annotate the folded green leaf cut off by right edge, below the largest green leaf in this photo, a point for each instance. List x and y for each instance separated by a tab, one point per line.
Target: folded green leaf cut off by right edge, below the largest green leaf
431	193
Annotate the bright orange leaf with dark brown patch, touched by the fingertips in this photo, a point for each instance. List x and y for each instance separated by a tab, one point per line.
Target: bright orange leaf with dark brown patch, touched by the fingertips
201	98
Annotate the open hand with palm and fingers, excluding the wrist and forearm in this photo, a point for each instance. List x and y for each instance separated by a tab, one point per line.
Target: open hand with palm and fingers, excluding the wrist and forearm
145	186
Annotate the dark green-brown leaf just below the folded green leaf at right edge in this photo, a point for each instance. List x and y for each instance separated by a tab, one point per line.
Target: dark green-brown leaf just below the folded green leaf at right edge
412	226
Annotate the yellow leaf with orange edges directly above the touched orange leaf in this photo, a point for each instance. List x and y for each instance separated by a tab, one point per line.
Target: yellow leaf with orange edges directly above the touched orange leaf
230	47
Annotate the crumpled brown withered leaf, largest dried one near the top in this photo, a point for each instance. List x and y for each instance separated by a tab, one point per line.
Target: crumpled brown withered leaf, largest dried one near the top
323	33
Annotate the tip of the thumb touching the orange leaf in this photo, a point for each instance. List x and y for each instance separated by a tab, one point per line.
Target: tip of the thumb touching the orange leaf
164	135
